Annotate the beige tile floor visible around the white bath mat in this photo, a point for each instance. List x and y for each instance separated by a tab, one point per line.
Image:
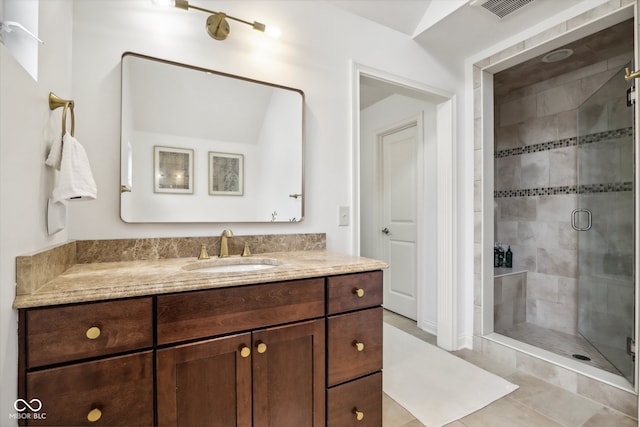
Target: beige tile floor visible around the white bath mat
535	404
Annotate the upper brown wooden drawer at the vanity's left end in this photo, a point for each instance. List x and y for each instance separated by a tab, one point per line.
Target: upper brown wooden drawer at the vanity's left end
66	333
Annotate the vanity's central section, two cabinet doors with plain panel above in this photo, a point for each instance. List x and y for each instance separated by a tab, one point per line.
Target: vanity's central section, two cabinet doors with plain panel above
266	376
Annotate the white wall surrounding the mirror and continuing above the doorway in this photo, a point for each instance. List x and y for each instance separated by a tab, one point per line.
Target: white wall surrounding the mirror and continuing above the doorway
311	55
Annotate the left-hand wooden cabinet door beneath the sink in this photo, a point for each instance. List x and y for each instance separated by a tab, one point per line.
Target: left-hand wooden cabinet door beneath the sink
207	383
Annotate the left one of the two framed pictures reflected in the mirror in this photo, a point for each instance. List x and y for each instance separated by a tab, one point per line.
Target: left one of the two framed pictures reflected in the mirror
172	170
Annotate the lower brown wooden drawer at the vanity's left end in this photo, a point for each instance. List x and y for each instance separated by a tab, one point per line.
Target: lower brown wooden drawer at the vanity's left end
118	391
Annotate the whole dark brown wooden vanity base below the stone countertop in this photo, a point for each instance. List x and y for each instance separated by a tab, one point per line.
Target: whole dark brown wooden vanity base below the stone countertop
298	352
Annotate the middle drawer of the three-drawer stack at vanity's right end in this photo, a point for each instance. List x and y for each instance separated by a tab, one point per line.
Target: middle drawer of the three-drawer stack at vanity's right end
354	345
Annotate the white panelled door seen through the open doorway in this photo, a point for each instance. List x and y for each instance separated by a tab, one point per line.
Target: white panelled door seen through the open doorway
399	228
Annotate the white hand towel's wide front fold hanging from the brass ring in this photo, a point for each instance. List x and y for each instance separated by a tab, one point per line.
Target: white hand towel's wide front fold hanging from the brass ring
75	181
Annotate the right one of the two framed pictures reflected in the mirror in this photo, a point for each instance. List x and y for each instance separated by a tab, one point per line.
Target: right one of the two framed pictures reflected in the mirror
226	174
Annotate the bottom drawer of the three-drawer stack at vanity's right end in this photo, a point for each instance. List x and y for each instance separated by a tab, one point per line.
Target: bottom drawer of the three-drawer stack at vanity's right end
356	403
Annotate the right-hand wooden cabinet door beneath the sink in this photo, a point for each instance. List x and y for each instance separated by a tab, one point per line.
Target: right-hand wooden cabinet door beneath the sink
289	375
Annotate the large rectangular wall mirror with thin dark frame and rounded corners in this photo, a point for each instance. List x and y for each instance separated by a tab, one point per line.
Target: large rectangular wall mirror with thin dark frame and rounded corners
199	145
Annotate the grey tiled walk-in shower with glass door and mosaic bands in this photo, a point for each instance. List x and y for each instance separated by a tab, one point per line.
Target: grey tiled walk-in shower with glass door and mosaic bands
564	202
